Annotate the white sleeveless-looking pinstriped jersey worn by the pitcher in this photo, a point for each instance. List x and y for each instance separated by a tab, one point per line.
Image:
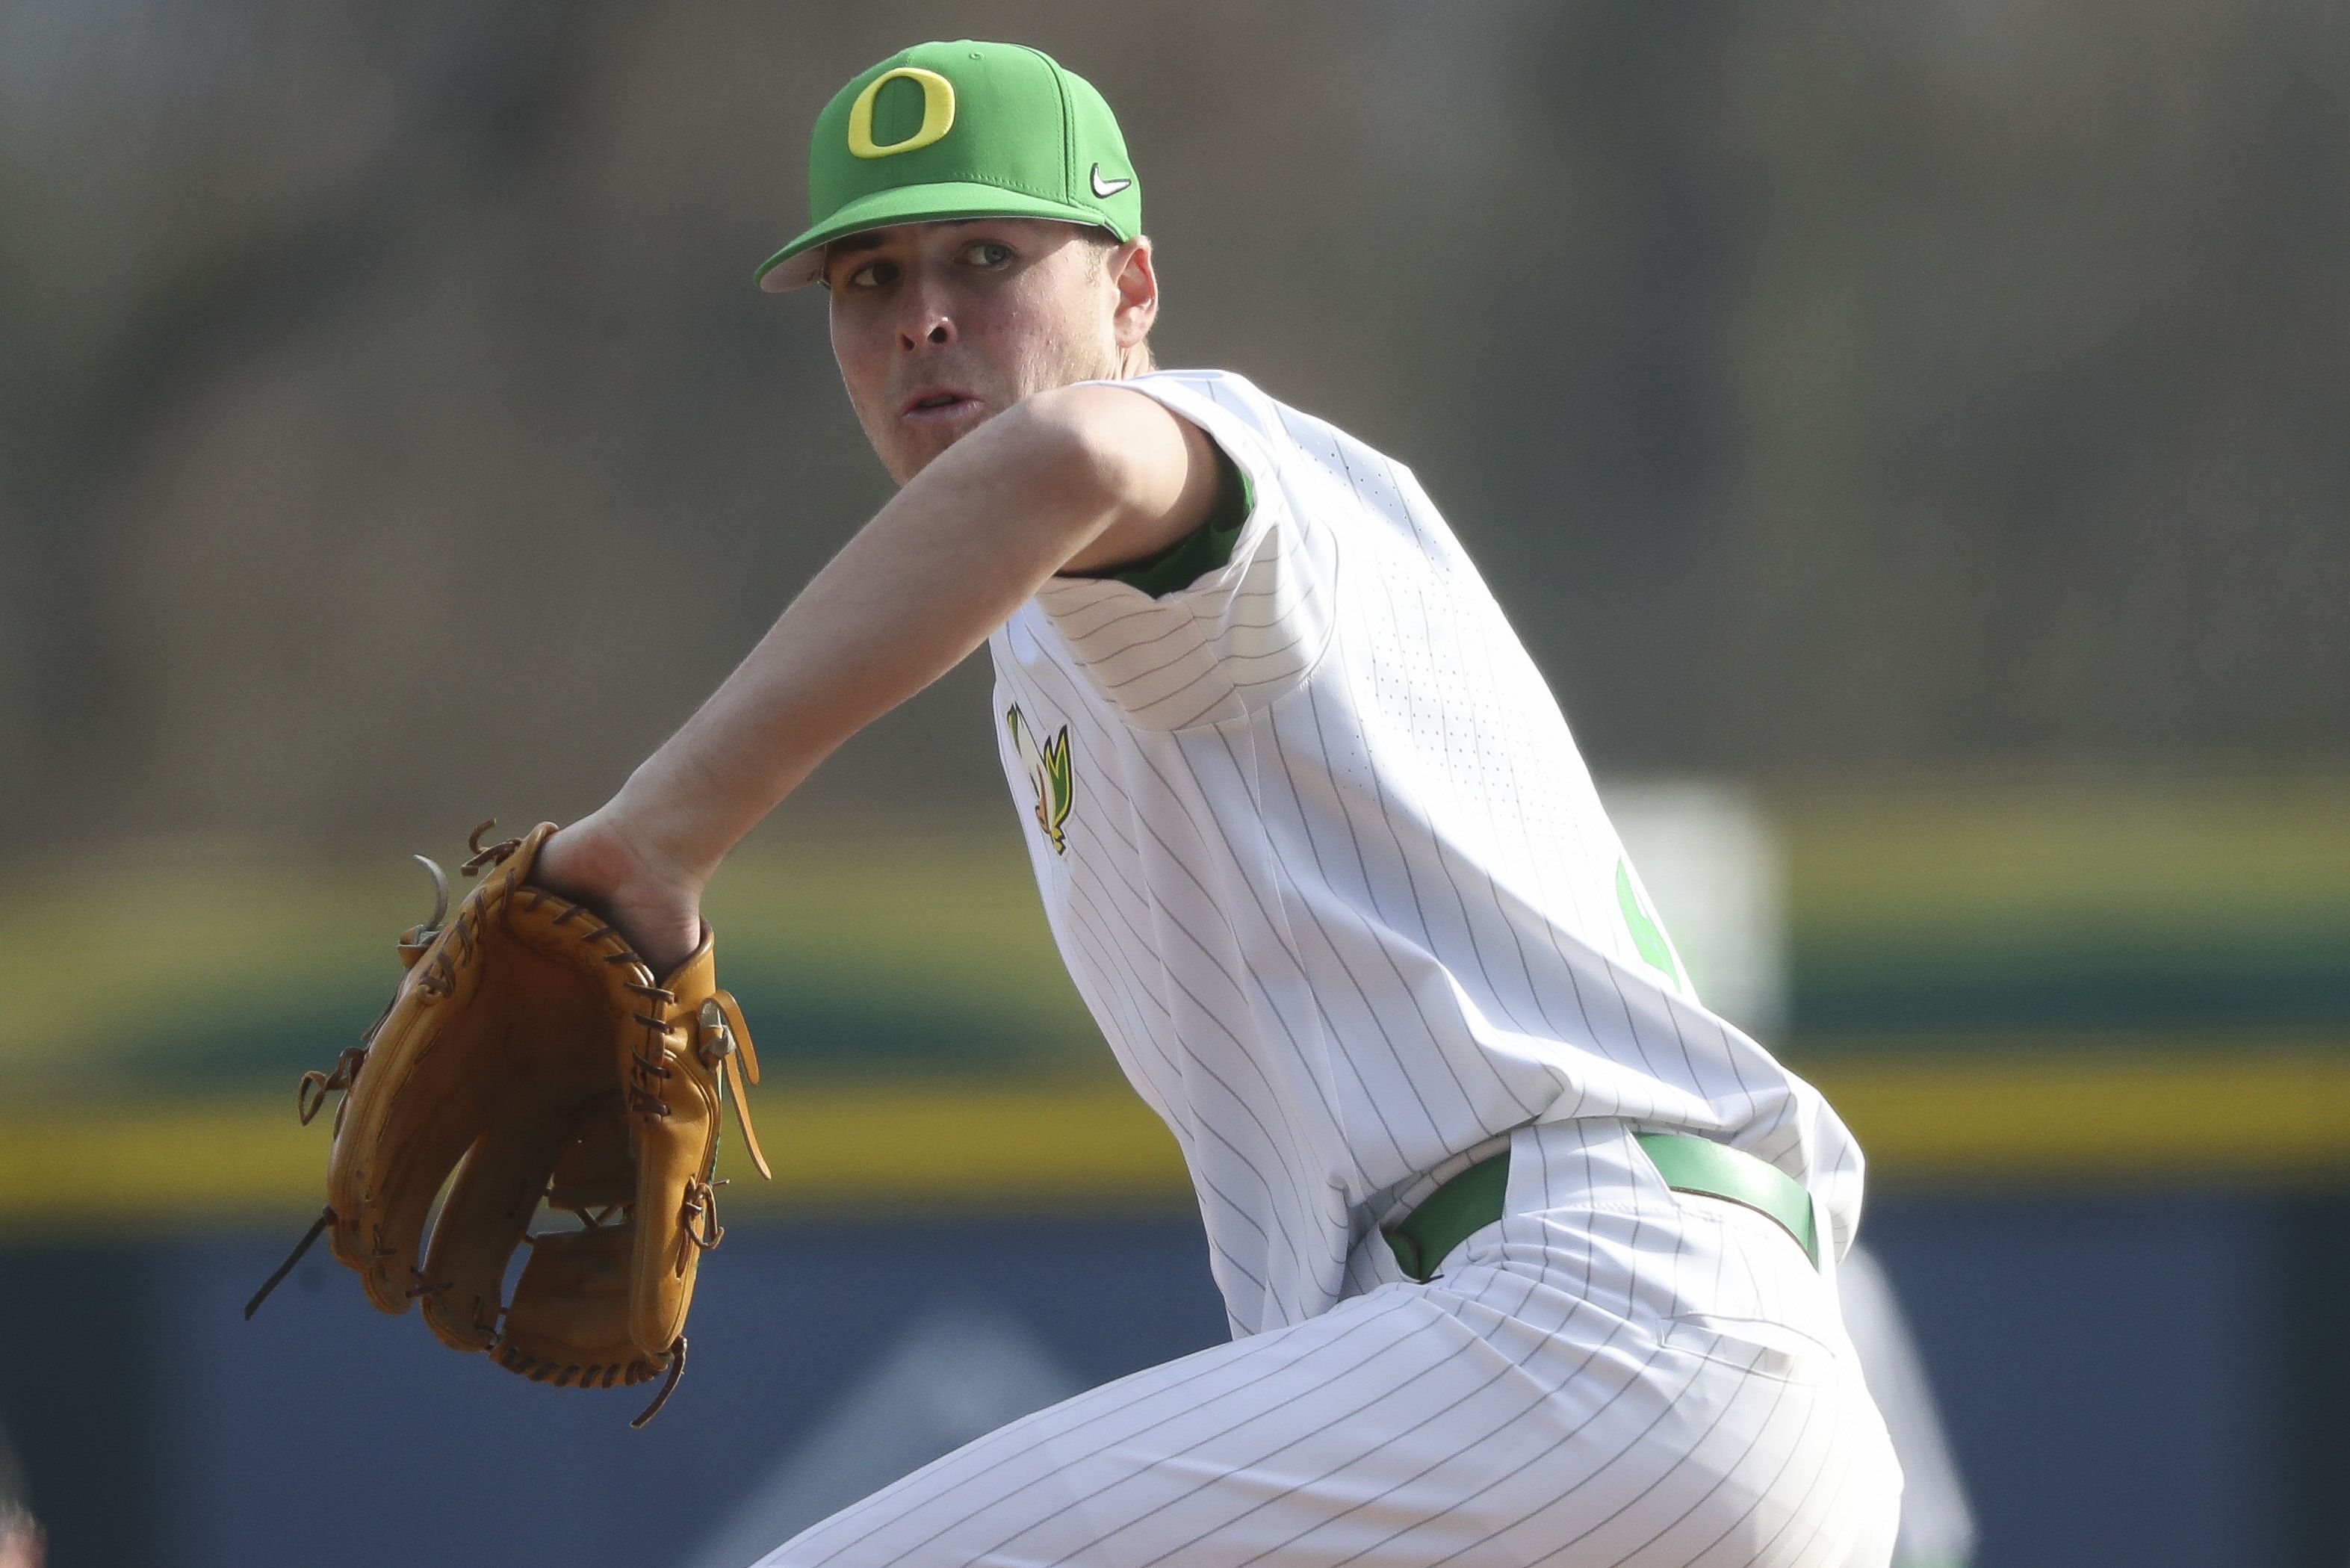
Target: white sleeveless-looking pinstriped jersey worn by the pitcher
1334	880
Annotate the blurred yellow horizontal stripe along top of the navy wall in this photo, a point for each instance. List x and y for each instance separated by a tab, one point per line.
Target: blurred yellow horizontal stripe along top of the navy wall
842	1148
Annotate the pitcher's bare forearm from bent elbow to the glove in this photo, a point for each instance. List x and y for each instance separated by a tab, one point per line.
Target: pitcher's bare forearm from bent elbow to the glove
925	584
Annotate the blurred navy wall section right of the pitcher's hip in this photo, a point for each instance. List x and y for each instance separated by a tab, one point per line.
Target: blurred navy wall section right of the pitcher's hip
2104	1369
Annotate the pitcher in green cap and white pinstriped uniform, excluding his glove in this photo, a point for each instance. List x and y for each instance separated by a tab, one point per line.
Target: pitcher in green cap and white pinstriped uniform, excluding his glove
1529	1257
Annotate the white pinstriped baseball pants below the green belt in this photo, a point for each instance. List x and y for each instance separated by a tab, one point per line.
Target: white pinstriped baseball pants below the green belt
1613	1374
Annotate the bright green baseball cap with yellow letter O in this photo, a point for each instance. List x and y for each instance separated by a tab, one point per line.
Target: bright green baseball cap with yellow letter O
962	130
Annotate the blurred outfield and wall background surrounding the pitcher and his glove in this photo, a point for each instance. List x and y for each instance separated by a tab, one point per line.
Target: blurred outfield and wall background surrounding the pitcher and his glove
1909	438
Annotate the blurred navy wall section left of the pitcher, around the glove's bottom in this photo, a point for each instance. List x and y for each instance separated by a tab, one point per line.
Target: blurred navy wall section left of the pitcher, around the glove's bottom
286	1423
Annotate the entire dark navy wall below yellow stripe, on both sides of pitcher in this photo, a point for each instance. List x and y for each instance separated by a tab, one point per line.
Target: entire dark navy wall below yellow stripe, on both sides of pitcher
2128	1381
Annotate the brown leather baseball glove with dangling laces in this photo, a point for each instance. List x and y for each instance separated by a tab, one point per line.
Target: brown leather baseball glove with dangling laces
530	1050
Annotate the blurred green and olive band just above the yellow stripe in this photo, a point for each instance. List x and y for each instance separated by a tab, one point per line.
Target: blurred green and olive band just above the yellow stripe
1926	923
